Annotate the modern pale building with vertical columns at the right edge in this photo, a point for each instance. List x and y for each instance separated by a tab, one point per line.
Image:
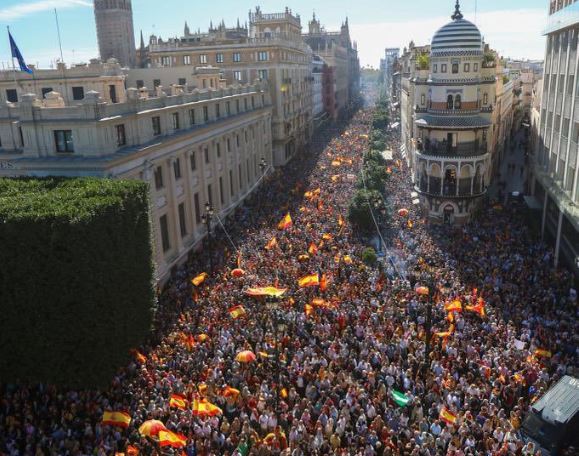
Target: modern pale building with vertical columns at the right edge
555	182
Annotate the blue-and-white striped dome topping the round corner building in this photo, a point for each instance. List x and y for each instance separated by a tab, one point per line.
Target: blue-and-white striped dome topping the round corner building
459	35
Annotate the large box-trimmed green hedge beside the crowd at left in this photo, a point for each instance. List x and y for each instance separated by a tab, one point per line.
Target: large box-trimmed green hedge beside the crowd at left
76	278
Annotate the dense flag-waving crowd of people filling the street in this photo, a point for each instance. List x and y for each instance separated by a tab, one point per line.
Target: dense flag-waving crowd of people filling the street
330	363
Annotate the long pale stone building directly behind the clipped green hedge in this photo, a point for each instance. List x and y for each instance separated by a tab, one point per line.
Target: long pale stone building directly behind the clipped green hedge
192	147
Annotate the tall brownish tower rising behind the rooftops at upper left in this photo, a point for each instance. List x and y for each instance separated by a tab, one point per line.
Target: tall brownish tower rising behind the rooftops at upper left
116	36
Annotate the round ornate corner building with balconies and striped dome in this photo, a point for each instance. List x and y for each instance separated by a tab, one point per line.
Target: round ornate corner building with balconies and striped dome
449	104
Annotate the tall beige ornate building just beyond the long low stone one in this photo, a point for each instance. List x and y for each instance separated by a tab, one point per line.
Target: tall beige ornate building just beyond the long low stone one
271	48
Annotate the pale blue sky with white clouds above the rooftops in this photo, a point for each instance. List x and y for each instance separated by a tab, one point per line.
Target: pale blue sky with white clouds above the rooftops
512	27
